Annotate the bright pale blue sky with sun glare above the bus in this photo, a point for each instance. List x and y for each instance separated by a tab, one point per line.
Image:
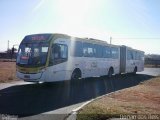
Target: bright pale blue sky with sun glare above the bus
120	19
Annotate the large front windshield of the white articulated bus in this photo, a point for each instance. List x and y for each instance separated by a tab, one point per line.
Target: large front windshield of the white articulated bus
32	54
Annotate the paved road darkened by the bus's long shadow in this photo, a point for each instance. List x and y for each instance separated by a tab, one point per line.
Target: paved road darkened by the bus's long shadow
56	100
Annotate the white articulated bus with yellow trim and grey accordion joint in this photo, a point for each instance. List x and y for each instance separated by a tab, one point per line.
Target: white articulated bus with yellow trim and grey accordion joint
59	57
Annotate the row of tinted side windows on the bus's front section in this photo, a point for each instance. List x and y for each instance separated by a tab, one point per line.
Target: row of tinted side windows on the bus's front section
93	50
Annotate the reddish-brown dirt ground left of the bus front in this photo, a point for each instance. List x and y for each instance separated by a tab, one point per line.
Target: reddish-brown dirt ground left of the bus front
7	72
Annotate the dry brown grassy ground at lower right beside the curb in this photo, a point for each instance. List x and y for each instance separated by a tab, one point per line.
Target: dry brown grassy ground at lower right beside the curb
141	99
